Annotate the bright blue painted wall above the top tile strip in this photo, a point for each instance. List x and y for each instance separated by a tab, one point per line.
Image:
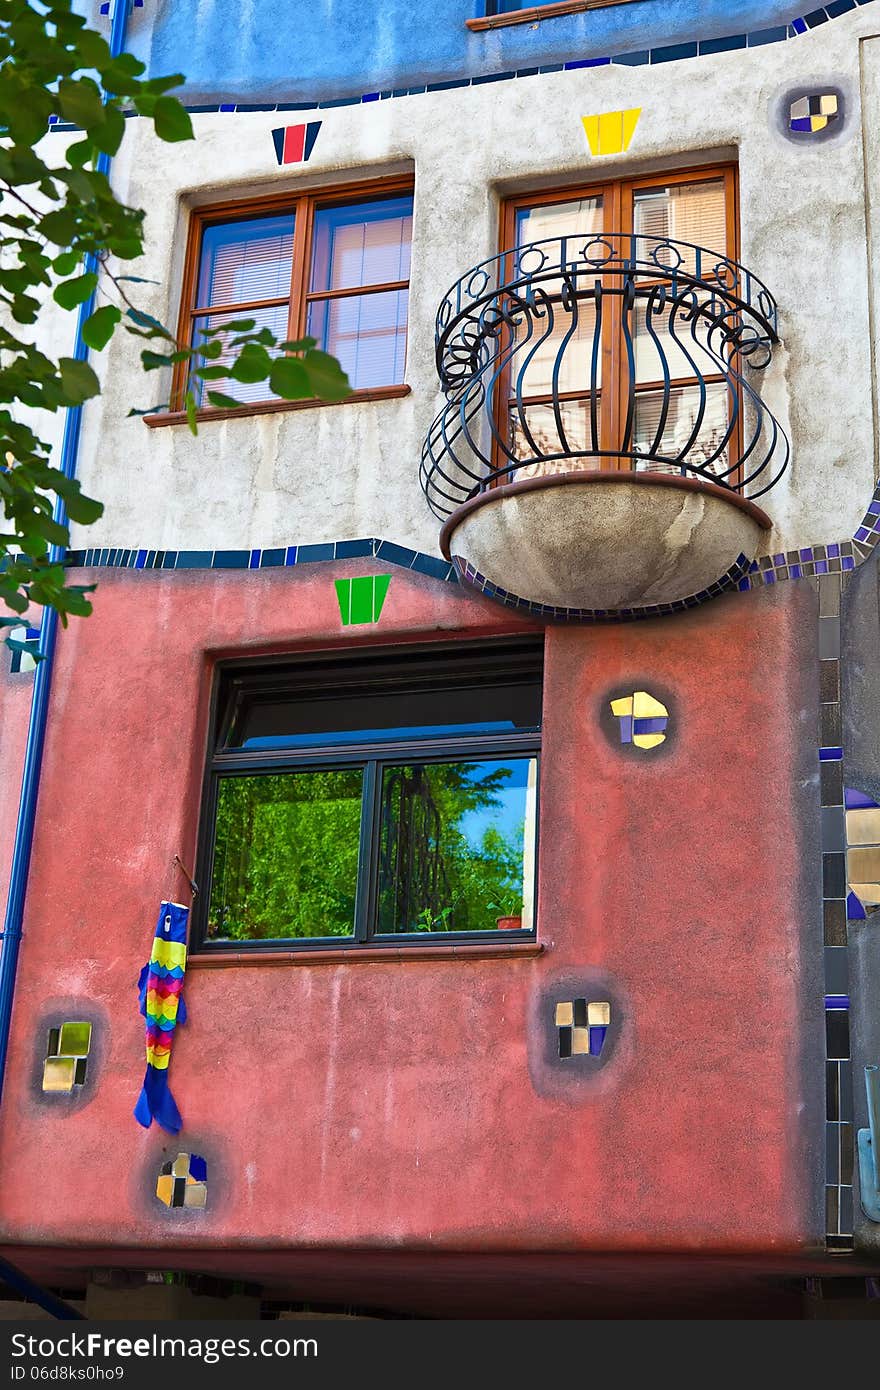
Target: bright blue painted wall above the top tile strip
297	51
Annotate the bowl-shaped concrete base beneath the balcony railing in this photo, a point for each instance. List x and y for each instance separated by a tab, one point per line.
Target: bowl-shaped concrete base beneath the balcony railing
604	541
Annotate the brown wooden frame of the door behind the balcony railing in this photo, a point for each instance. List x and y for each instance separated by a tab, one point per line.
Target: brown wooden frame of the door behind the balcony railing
618	211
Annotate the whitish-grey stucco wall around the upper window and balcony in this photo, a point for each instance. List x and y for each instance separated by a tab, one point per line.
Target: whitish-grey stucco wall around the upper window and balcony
334	473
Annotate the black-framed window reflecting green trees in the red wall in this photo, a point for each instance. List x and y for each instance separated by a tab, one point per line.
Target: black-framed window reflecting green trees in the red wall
373	797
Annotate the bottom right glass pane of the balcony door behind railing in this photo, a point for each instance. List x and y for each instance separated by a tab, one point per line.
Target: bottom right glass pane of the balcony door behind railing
682	420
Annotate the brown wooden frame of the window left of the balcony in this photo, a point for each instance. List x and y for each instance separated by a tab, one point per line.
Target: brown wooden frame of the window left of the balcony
302	206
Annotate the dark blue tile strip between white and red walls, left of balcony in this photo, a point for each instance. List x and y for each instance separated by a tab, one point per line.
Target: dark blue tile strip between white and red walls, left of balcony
283	557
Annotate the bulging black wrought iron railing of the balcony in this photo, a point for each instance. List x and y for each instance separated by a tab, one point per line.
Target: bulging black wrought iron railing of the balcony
603	352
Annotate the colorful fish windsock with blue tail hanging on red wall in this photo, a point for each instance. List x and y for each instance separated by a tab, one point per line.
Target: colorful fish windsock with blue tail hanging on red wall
162	1003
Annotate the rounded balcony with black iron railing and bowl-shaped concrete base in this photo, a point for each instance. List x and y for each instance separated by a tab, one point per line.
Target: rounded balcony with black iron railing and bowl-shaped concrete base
604	441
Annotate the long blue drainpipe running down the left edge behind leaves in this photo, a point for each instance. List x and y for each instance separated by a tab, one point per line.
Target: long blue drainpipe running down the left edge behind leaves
42	680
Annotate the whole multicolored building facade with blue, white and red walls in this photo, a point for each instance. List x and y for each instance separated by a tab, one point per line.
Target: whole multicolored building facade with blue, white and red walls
516	717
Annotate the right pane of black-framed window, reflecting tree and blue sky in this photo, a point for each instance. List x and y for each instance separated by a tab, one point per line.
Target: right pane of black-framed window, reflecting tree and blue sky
457	849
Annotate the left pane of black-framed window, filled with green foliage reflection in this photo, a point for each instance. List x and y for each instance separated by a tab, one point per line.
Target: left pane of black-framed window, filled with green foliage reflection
286	860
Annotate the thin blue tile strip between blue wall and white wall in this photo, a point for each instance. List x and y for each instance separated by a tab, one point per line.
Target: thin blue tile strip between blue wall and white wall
665	54
